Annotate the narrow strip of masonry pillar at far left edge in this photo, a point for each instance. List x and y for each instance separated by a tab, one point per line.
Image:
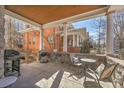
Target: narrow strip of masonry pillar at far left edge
1	42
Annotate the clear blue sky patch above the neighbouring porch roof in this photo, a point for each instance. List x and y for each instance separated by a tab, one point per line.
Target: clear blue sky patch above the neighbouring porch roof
89	26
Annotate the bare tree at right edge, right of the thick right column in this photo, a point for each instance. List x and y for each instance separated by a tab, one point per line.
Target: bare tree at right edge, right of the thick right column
118	27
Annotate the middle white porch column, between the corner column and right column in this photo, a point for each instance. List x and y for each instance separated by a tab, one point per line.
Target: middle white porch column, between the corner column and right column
65	38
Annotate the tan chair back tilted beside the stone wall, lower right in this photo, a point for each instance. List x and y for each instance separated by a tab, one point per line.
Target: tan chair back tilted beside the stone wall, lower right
107	72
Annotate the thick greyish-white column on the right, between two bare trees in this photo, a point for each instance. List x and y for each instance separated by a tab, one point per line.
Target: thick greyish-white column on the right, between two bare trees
109	35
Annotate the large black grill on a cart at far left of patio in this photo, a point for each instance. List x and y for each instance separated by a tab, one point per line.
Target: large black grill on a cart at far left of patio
11	62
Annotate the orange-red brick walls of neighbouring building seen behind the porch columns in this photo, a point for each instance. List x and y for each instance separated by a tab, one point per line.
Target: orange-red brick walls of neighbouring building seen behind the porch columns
51	41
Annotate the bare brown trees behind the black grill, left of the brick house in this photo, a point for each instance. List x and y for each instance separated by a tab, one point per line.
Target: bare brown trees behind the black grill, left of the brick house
14	39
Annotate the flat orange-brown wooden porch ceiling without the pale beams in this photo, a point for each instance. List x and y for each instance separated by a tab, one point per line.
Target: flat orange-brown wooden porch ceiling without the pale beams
43	14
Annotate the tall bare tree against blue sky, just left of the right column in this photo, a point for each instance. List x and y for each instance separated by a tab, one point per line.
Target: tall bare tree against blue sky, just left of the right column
100	25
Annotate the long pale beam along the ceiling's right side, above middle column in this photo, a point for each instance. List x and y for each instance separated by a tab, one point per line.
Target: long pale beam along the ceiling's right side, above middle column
79	17
